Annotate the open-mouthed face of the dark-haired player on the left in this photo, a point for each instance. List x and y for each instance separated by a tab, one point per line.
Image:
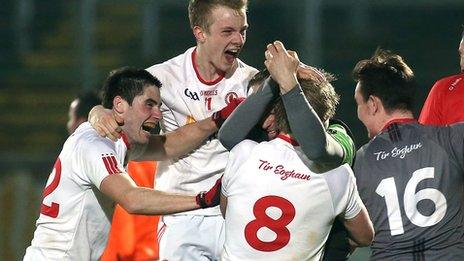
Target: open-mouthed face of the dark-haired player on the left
142	116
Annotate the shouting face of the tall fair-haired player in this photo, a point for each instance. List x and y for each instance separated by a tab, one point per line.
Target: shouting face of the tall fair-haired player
220	43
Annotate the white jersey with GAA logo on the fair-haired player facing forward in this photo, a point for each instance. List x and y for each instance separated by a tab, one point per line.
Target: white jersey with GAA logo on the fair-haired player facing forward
187	98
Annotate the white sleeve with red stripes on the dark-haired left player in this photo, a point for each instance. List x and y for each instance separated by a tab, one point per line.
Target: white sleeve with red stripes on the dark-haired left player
96	160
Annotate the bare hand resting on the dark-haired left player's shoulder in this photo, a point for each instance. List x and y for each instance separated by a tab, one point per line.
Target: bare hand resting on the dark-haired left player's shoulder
105	122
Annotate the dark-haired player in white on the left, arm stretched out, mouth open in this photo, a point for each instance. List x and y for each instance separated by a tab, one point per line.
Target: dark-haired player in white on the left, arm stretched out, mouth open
72	224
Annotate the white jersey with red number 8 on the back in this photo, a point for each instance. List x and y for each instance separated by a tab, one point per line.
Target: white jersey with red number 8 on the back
277	208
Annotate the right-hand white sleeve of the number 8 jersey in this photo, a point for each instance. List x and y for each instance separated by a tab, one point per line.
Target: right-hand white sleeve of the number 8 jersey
345	196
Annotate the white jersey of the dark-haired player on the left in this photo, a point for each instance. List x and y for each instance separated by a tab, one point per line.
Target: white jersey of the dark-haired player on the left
72	224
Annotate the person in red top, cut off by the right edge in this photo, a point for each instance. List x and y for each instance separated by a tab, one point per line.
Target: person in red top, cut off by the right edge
445	102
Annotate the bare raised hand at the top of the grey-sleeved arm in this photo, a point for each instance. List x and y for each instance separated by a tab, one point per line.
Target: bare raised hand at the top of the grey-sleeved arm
282	65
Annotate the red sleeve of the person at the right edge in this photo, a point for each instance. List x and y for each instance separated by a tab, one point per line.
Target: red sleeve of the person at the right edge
431	111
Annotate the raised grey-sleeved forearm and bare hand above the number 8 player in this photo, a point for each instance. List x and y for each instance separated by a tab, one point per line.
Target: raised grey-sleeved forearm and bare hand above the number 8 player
307	128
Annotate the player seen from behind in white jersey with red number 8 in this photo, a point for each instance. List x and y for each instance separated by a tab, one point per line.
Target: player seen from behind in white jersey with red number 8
273	185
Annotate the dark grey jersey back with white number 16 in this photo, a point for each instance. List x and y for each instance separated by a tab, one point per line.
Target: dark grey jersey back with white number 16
410	177
